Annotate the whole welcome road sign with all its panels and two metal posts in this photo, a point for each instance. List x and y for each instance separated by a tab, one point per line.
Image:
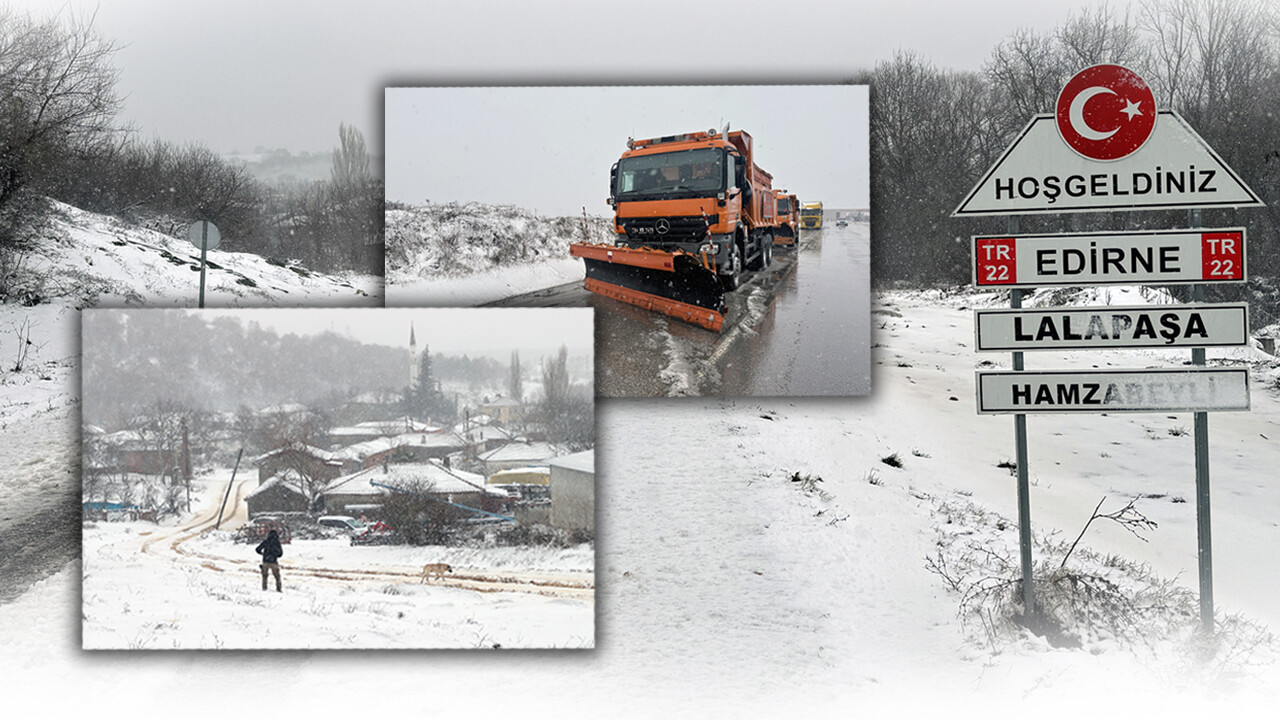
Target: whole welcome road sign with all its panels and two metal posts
1107	148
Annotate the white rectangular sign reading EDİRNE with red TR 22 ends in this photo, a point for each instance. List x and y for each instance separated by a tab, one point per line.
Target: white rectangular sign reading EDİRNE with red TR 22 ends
1110	258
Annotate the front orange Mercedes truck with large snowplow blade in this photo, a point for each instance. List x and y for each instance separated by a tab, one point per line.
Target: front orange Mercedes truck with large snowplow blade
692	213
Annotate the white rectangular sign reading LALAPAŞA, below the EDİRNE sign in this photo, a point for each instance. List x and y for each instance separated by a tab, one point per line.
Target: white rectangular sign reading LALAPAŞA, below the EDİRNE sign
1112	327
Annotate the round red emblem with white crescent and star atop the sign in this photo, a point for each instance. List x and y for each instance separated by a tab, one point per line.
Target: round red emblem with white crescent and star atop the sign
1107	112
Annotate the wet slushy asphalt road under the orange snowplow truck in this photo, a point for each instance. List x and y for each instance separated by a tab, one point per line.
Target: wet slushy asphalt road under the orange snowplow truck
808	320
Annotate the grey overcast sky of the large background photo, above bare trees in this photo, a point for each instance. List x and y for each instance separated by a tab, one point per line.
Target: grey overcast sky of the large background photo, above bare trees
235	75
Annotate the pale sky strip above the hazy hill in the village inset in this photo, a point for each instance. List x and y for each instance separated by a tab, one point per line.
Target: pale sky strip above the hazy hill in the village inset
495	332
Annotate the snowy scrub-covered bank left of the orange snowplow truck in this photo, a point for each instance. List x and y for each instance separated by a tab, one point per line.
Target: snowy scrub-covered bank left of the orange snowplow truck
477	253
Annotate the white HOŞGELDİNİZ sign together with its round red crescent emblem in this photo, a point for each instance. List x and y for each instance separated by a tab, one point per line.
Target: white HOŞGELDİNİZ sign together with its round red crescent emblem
1107	148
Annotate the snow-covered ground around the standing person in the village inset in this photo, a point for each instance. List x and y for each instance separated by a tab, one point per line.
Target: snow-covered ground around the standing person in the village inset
194	587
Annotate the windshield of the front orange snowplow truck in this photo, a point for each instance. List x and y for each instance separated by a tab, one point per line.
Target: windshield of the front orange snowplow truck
689	174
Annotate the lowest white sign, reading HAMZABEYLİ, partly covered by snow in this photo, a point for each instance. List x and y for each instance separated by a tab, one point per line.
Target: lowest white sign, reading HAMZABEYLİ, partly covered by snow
1114	391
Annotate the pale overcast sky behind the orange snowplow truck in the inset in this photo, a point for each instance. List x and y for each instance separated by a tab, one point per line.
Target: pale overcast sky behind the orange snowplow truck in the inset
550	149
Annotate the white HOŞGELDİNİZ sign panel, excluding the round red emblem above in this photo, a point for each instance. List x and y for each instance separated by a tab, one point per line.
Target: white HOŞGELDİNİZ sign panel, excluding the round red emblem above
1040	174
